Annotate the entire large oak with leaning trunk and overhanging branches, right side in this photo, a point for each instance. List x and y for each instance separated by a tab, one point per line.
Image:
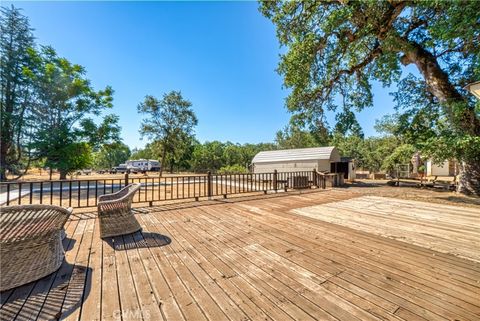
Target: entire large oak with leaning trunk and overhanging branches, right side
337	48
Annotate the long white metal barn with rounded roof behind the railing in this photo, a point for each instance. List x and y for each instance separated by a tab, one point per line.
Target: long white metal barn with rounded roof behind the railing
294	160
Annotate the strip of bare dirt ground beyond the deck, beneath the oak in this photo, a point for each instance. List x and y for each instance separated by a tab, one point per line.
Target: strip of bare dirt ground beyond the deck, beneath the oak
425	194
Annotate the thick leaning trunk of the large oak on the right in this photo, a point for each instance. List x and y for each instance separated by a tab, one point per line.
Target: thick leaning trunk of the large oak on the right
440	86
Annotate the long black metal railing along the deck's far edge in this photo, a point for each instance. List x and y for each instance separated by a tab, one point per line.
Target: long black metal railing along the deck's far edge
84	193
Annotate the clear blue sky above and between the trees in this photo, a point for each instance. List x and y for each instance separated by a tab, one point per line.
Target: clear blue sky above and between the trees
221	55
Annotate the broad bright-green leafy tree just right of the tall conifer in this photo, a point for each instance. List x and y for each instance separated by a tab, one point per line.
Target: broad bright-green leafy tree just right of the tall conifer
63	101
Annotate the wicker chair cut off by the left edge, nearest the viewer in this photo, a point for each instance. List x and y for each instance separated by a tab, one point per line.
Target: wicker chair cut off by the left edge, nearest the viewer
30	242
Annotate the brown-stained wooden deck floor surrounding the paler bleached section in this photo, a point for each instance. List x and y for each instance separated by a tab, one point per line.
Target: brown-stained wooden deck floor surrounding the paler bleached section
250	259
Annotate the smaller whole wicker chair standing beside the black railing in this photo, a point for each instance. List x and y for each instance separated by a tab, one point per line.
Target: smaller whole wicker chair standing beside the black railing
115	212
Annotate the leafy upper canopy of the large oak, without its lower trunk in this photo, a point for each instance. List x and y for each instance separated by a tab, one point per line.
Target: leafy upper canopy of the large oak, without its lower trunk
337	48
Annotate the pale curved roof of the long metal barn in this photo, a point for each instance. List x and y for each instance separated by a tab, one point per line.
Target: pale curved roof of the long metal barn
316	153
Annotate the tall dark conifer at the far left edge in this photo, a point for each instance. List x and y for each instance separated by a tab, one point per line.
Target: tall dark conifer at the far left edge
16	39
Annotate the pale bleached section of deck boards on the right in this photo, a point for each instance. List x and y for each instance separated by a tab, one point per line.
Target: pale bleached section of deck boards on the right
448	229
